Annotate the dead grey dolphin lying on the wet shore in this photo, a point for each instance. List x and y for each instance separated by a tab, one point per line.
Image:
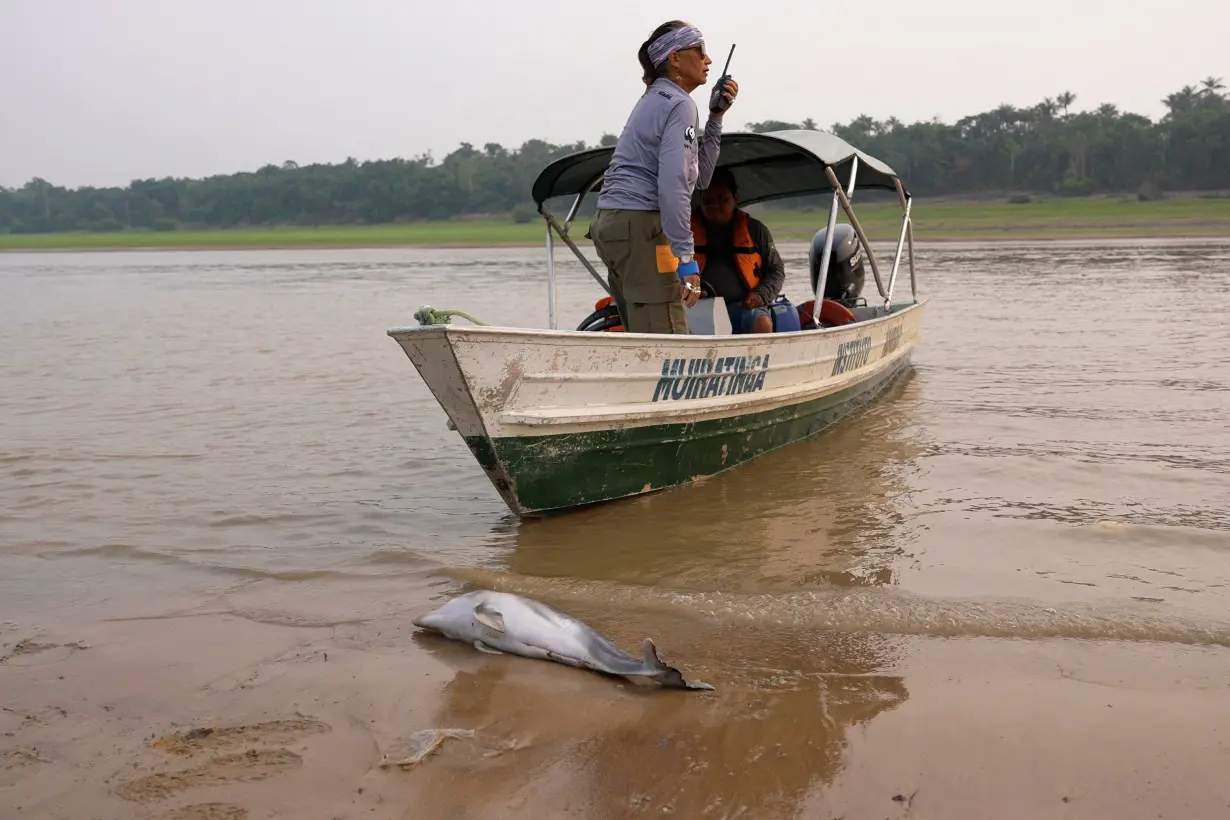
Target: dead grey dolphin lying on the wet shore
500	623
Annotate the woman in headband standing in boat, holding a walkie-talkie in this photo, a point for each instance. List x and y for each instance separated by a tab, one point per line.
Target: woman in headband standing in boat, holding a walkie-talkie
643	229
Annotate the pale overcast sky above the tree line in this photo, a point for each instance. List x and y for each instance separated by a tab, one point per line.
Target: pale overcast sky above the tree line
105	92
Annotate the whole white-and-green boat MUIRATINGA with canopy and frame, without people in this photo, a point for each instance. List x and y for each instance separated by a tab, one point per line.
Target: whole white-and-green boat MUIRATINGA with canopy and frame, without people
566	419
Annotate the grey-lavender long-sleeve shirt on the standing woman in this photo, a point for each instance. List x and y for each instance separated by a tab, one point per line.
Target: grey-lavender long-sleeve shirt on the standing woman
659	163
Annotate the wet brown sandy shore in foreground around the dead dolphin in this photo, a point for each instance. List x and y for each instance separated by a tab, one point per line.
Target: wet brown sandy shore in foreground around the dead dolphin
226	711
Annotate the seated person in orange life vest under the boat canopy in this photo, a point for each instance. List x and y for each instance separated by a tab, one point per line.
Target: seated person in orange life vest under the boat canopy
737	258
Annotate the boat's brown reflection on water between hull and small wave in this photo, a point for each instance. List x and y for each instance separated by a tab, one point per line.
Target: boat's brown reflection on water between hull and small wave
832	511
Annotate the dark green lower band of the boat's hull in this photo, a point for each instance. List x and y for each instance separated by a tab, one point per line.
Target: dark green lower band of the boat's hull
553	473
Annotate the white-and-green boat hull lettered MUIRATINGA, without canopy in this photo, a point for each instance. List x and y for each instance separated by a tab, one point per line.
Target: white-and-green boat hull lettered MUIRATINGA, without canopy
560	419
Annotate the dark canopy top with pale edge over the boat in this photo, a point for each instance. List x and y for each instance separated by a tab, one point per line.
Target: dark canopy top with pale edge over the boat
767	167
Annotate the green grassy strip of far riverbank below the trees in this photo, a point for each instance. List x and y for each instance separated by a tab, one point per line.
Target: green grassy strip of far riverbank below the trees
1179	216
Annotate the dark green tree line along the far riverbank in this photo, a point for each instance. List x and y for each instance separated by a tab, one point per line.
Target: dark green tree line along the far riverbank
1041	149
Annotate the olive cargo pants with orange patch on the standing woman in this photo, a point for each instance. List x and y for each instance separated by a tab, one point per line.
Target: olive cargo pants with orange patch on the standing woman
640	271
